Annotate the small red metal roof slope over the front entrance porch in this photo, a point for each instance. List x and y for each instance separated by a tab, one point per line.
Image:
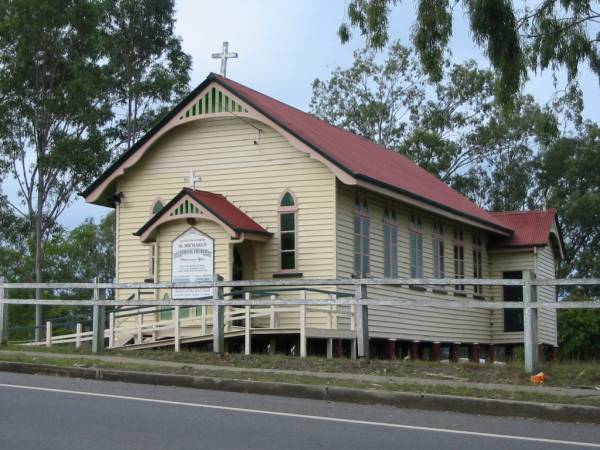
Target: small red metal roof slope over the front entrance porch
226	211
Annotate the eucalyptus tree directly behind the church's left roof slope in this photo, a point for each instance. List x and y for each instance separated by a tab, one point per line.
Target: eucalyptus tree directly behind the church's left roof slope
148	68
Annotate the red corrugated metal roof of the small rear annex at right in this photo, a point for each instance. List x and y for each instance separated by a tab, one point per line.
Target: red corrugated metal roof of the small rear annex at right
530	227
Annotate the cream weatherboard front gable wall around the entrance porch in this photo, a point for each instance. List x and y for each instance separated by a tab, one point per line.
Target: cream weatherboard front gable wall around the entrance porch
252	170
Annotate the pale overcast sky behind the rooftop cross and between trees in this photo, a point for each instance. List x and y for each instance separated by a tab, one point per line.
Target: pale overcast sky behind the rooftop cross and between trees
284	45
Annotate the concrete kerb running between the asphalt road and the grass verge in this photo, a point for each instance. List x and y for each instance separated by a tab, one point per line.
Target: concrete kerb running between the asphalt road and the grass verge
431	402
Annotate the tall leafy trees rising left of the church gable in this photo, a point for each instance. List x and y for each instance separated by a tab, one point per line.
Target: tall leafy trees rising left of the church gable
66	70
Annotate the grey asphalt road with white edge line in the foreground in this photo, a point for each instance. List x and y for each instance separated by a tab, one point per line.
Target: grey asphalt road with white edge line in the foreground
40	412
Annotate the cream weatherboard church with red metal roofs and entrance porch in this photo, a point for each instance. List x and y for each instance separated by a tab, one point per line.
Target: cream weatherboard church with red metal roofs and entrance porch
235	183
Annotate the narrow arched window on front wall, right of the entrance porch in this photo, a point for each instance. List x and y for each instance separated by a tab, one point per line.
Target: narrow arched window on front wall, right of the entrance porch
288	244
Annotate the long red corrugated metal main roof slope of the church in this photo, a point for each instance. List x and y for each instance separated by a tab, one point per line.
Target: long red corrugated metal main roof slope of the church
361	157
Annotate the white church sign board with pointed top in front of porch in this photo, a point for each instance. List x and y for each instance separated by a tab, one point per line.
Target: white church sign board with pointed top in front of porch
192	260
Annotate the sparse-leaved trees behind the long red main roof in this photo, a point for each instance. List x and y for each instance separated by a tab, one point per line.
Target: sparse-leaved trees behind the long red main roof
454	128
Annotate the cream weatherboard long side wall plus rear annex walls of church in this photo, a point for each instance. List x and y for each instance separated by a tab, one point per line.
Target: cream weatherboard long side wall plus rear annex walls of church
434	324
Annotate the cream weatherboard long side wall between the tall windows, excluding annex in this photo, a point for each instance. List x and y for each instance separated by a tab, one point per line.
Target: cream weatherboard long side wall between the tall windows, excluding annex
427	324
